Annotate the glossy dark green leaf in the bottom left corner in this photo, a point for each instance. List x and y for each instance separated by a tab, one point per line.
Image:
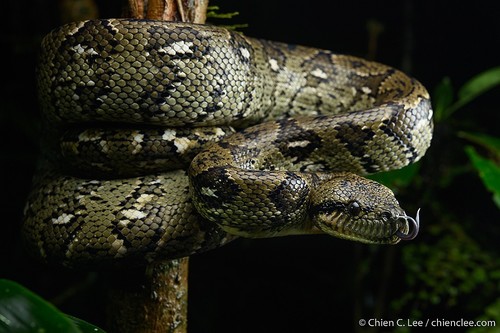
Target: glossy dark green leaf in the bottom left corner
23	311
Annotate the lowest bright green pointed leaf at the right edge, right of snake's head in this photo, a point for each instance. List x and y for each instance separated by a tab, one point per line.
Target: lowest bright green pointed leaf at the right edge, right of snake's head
489	172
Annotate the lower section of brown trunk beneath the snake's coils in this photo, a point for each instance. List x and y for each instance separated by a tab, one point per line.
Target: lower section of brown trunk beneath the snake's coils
150	301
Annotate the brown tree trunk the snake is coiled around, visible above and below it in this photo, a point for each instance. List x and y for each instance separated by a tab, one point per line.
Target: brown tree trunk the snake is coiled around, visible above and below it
155	300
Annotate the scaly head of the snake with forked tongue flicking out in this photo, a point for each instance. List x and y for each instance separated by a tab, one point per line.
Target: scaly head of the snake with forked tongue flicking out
352	207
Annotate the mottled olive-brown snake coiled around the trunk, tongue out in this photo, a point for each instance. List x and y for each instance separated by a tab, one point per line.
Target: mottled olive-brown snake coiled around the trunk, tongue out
166	139
